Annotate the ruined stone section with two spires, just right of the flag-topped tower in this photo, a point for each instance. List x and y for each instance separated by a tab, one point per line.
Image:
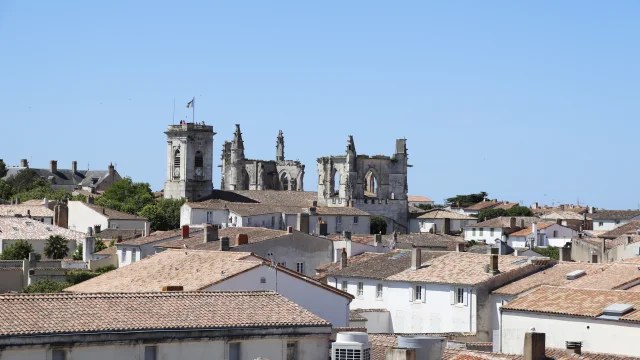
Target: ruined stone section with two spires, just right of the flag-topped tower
240	173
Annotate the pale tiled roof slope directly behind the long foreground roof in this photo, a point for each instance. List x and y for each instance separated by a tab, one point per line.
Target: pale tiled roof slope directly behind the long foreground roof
193	269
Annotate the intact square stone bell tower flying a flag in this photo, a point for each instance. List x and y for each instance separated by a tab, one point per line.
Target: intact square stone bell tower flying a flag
189	161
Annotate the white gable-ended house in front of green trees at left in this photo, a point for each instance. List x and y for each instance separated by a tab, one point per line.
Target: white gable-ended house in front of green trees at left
84	215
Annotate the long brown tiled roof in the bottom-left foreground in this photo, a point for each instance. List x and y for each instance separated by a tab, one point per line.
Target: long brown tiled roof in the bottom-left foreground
117	312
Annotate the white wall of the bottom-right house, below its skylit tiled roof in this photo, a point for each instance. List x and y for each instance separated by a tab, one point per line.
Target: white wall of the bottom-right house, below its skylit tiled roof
604	336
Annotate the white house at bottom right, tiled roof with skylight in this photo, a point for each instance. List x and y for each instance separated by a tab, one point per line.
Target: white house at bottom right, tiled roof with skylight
603	321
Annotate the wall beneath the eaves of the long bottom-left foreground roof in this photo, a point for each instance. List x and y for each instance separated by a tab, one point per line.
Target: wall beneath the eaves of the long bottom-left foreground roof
309	348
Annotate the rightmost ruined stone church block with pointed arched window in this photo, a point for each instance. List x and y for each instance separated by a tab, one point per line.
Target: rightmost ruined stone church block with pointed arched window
376	184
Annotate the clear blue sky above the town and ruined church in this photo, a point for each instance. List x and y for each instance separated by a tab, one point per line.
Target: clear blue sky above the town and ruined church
528	101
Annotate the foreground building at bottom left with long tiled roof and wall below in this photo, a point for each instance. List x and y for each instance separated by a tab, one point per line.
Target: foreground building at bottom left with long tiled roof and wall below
237	325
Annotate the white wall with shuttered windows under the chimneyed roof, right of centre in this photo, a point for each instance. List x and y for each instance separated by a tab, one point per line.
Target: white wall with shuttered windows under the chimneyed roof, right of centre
434	314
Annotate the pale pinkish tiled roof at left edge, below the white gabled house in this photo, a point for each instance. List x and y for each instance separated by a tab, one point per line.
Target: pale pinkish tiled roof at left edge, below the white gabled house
29	229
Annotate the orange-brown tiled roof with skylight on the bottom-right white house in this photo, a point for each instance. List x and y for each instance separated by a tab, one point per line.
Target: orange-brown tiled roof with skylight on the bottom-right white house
575	302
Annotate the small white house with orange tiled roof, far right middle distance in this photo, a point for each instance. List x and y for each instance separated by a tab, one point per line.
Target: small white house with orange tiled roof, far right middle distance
542	235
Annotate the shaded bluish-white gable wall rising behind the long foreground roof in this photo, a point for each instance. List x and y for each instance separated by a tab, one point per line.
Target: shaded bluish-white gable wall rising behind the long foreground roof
322	302
